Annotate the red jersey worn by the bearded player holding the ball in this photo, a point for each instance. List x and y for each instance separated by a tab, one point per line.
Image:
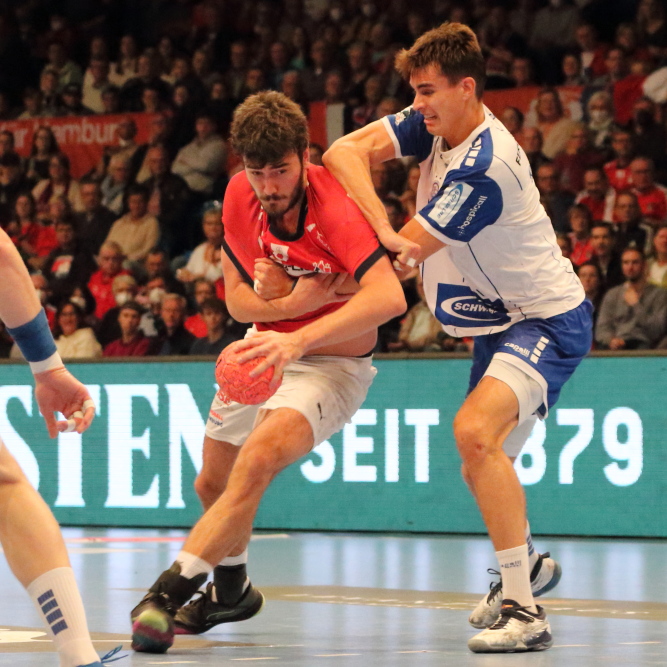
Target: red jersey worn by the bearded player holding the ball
332	237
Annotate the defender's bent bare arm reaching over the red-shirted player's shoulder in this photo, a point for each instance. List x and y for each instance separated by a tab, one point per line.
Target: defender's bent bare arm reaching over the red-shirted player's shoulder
349	159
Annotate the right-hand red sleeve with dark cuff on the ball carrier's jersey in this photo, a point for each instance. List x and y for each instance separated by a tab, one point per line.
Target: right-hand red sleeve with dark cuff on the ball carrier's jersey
351	238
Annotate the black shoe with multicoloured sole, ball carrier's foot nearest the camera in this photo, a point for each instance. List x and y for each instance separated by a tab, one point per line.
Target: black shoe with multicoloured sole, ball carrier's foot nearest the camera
153	618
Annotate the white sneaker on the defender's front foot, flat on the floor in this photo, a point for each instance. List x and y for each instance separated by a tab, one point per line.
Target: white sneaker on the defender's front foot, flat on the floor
516	629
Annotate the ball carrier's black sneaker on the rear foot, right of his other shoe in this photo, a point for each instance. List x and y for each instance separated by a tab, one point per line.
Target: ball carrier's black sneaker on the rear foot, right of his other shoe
203	613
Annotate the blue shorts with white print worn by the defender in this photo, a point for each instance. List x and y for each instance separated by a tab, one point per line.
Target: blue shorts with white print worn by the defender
547	350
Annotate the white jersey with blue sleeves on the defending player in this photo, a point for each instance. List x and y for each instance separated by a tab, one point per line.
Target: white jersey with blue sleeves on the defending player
501	264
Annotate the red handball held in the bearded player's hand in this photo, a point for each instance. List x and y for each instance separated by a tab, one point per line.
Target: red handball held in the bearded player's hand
235	382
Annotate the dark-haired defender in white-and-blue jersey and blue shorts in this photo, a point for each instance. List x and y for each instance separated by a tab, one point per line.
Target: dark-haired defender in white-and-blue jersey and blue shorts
491	269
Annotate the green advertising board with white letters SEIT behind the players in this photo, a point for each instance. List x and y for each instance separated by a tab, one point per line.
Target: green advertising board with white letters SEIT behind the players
596	466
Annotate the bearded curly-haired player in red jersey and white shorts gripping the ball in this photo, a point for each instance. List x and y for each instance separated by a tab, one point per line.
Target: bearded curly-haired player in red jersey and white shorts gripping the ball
301	263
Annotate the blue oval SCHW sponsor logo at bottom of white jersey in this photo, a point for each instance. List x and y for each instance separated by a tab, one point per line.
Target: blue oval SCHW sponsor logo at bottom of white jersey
459	306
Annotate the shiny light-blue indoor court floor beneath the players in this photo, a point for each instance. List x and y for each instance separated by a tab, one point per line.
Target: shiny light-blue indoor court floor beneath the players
363	599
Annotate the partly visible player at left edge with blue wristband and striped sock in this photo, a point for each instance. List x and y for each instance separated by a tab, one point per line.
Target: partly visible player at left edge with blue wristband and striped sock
29	533
